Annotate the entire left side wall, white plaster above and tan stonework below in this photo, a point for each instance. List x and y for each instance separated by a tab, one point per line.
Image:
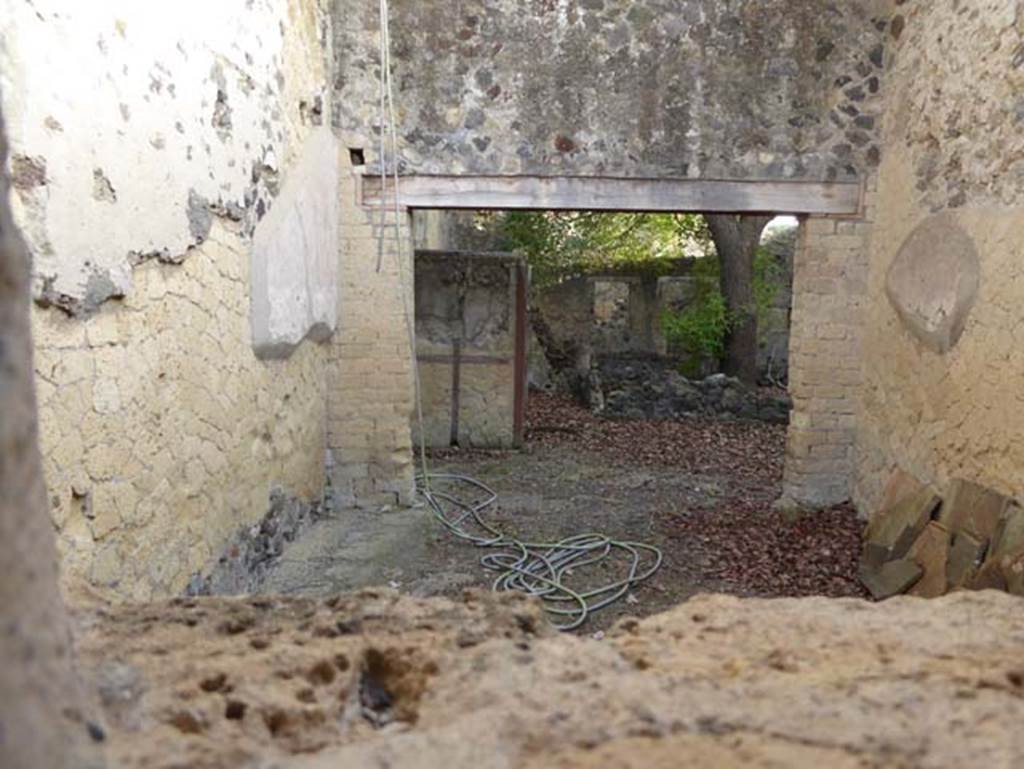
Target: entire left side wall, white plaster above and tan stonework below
178	189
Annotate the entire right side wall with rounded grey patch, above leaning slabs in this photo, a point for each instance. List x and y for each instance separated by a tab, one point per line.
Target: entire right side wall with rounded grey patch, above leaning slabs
944	355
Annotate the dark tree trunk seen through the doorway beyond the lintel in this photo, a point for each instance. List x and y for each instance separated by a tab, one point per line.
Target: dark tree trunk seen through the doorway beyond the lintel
737	240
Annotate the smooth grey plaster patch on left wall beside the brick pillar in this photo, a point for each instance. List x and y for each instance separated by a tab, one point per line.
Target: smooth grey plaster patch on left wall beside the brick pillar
295	255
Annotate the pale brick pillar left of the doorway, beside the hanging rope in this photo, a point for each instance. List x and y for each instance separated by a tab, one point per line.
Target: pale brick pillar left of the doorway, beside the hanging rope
370	392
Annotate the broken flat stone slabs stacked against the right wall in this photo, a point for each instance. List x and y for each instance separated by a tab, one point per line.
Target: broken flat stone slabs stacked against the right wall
926	544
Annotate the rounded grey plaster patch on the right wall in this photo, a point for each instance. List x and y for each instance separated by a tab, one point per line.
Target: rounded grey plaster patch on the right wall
933	282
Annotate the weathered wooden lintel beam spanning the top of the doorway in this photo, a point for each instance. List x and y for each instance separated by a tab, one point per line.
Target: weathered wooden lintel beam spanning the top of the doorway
607	194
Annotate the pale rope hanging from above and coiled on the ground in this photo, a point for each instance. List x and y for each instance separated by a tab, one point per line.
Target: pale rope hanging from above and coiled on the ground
459	503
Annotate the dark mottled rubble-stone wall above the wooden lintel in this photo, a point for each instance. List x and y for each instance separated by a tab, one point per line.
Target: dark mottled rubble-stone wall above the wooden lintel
785	90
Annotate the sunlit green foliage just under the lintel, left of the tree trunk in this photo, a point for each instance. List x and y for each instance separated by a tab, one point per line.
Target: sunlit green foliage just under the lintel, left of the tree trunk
562	245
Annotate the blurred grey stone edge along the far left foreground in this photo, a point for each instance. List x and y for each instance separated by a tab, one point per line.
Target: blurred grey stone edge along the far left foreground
42	721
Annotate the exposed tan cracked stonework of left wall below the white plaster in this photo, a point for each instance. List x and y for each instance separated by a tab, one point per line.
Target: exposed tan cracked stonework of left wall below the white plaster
162	433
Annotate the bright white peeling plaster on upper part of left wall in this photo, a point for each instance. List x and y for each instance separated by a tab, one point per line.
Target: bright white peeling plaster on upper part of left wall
132	124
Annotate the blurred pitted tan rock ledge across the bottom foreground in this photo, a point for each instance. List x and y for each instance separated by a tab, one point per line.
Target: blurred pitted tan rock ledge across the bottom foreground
375	679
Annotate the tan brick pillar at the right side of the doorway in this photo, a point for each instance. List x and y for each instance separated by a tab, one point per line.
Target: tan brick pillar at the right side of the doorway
826	362
